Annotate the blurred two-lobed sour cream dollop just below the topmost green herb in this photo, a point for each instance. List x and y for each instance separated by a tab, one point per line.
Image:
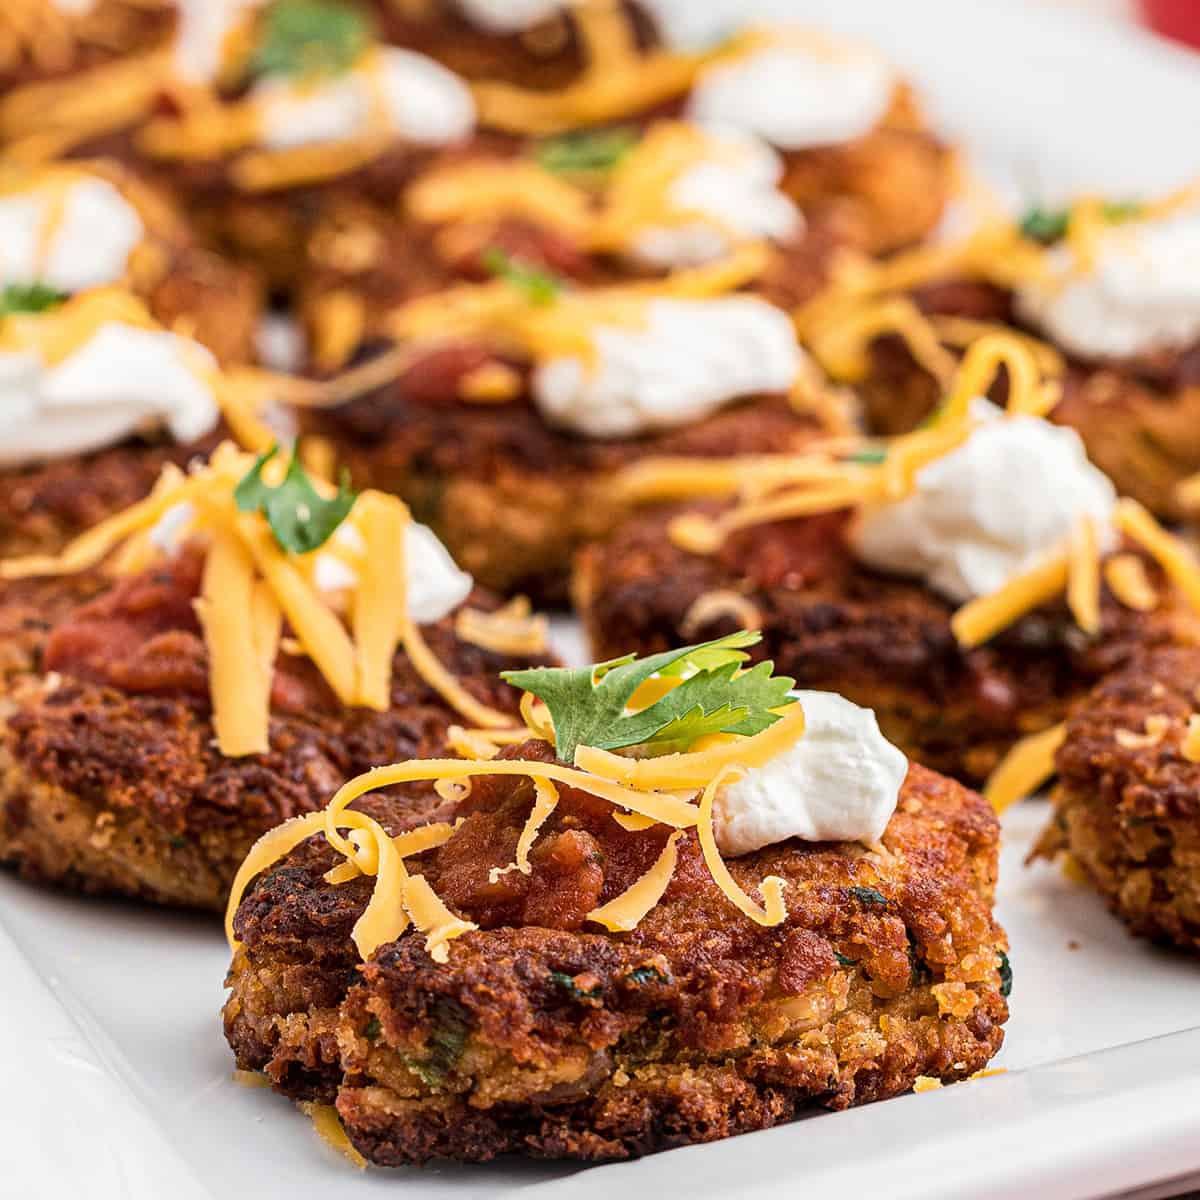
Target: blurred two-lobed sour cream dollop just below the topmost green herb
418	99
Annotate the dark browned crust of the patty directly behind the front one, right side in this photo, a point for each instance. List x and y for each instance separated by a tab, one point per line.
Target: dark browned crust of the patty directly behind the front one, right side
883	641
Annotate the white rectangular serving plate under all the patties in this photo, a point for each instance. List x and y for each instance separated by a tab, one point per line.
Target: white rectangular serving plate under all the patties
118	1081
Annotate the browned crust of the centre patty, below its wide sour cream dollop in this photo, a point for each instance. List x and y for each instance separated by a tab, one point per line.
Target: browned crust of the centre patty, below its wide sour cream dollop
512	497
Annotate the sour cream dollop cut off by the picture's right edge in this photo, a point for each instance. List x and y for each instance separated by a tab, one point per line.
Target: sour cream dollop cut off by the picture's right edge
1142	295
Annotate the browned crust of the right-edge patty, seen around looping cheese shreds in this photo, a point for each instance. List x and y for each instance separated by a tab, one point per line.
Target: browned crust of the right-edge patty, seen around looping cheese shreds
1139	418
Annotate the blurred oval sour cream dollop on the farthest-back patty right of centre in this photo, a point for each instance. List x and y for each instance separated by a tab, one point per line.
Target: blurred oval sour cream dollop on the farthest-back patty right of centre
799	94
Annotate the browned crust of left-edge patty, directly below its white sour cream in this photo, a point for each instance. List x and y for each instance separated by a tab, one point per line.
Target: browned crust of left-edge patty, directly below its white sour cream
44	507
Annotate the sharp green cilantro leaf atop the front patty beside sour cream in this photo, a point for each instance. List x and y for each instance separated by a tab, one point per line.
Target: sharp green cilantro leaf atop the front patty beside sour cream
590	705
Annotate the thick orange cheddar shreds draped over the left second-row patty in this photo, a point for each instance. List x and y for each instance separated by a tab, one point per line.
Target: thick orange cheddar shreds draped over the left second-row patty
250	585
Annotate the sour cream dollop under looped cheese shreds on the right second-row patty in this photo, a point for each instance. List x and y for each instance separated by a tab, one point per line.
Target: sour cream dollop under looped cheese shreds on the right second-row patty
995	507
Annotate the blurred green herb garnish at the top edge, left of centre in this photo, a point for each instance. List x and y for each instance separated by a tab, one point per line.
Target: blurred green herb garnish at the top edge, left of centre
310	38
